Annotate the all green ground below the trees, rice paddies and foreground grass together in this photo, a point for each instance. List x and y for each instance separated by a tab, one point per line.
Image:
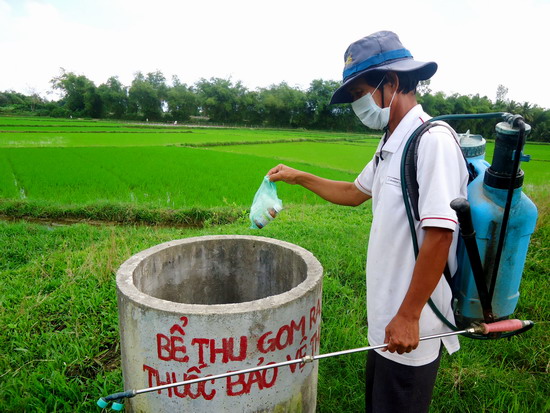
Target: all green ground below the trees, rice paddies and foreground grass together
60	341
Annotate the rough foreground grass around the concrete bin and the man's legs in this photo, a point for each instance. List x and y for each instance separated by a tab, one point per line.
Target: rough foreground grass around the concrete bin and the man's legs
61	335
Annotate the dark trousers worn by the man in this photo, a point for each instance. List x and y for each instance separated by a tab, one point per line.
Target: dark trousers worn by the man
395	388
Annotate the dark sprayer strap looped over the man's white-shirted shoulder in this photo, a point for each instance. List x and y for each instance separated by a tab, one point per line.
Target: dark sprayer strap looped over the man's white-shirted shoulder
411	161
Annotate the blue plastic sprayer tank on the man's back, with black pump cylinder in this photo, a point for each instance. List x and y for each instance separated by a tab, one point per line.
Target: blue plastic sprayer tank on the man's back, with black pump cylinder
487	195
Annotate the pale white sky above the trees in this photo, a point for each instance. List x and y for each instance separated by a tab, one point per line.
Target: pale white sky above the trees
478	44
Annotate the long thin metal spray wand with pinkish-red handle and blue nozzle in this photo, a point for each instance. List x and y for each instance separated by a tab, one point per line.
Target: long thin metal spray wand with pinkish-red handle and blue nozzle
477	328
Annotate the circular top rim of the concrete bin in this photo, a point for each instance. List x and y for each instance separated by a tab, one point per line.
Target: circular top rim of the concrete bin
127	289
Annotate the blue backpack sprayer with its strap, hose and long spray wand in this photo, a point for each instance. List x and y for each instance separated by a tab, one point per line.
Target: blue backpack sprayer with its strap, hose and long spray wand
496	222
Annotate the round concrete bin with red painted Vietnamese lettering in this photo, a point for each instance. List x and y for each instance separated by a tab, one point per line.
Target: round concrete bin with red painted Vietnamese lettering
208	305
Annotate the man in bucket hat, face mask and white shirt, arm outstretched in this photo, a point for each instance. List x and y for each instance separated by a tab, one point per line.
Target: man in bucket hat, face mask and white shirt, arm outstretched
380	79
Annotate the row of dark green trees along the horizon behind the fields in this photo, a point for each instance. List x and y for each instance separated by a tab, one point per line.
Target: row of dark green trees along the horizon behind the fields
222	101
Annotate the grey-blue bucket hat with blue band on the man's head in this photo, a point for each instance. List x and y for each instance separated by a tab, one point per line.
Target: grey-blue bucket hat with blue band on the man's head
380	51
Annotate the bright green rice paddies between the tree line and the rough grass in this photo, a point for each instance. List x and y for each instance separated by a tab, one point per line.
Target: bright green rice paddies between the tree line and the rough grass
165	168
